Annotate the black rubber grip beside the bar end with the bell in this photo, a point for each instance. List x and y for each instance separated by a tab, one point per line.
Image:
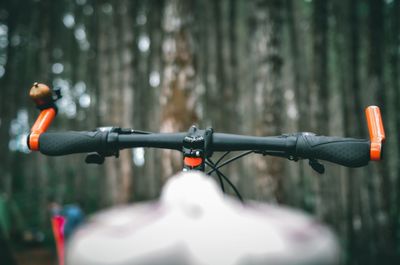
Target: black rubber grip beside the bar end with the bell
65	143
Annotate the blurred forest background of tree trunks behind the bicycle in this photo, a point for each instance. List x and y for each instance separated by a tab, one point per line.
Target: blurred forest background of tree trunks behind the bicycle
241	66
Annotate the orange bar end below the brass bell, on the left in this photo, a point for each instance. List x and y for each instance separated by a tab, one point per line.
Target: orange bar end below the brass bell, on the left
43	122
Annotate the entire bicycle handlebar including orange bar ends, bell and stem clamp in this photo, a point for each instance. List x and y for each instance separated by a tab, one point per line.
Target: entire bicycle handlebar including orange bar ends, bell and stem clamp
343	151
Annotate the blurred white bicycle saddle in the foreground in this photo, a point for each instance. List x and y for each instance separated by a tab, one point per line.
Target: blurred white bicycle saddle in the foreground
195	223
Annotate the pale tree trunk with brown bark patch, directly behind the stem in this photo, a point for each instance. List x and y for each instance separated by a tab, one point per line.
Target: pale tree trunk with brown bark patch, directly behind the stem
178	97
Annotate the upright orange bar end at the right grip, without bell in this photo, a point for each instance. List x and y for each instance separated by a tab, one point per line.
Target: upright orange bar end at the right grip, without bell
376	131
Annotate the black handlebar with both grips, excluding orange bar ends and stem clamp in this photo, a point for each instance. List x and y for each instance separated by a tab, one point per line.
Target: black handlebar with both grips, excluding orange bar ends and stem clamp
343	151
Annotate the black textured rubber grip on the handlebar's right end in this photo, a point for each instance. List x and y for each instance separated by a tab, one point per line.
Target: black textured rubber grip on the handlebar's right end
348	152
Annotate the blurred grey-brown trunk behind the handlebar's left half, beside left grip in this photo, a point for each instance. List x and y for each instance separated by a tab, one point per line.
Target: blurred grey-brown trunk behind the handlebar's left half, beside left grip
115	40
